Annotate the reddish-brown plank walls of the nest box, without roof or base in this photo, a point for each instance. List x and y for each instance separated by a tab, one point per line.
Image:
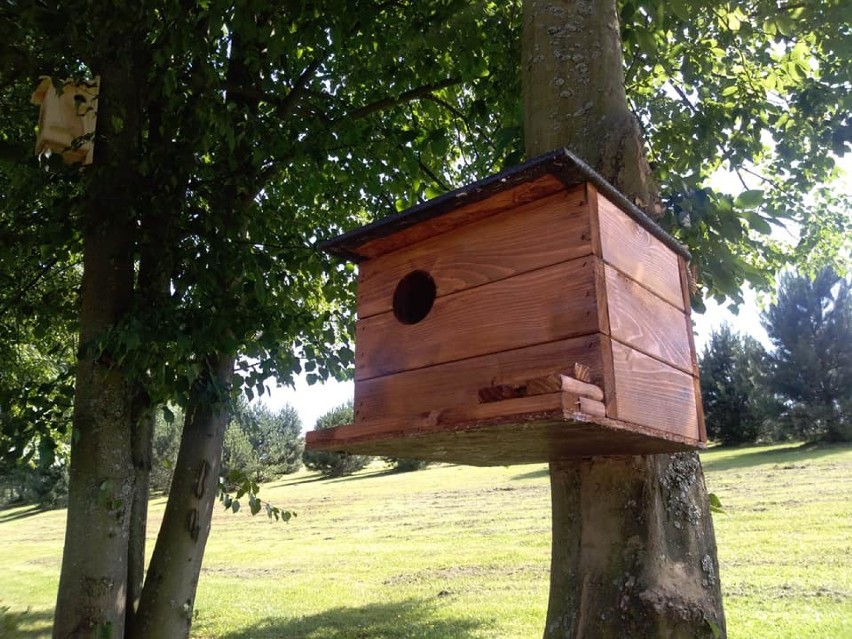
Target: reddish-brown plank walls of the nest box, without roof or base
526	290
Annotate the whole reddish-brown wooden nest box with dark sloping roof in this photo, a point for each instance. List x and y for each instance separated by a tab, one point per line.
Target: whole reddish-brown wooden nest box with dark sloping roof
534	316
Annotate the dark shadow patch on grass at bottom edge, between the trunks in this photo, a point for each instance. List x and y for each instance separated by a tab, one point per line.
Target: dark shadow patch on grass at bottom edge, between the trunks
411	619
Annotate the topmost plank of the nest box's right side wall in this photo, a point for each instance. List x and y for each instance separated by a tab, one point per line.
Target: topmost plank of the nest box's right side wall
634	251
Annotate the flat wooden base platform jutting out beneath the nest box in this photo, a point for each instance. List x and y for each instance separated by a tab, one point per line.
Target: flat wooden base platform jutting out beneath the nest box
547	427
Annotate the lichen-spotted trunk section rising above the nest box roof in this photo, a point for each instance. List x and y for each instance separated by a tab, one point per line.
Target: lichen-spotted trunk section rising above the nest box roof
573	85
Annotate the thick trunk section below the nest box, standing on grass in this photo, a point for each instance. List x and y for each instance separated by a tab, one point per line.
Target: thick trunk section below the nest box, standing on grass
634	554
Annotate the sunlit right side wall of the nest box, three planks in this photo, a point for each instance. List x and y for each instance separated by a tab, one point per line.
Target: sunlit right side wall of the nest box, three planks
649	363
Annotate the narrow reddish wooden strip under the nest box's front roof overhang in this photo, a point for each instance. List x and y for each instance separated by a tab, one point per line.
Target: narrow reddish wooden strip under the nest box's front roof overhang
503	201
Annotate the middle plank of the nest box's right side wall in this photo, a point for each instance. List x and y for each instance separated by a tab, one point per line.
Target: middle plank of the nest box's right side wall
644	321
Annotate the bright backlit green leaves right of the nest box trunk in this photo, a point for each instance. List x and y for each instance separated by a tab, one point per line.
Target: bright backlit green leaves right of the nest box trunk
759	89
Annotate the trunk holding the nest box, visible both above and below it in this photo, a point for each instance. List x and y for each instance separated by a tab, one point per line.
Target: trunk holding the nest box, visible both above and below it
634	553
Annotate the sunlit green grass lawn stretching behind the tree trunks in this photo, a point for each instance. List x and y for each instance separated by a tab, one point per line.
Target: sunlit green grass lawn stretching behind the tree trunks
459	553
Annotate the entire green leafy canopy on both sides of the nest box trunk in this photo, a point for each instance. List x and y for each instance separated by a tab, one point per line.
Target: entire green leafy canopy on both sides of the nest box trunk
321	117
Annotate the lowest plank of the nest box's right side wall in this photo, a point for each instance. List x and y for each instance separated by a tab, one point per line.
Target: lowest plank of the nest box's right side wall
654	394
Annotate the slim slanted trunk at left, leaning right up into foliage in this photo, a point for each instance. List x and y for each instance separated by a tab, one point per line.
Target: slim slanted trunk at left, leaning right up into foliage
168	597
